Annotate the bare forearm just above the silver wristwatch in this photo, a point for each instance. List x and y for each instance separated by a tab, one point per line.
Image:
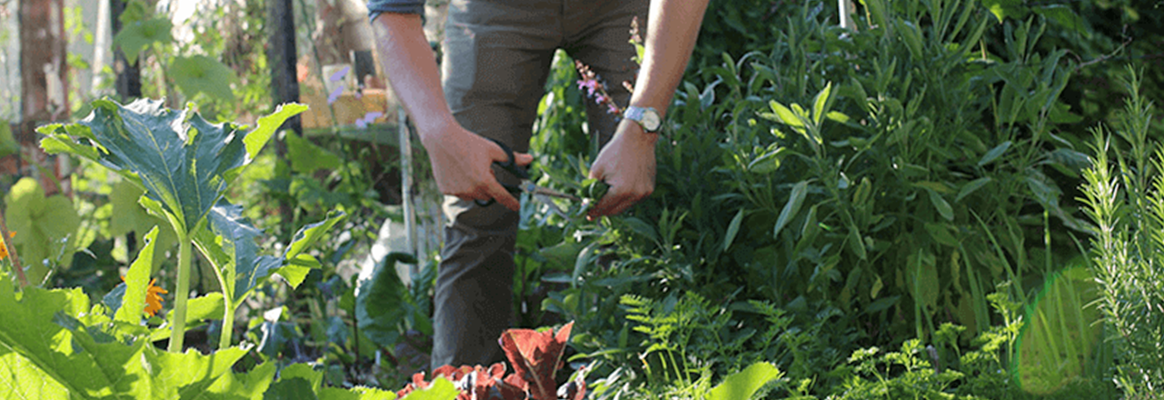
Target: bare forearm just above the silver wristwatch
668	53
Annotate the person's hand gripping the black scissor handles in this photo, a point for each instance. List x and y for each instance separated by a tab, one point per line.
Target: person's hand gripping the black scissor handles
463	166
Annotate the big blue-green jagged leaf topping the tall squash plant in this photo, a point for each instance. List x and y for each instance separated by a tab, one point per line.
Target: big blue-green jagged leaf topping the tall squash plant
183	162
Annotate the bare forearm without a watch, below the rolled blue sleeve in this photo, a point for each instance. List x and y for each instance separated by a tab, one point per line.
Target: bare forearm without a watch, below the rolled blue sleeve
411	68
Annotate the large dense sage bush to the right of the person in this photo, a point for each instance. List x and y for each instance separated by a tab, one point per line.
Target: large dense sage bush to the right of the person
872	184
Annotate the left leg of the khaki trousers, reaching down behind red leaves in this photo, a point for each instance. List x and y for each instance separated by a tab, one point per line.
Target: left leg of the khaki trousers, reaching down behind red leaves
496	61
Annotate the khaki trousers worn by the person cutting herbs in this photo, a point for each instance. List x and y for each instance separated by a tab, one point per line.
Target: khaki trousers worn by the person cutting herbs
498	56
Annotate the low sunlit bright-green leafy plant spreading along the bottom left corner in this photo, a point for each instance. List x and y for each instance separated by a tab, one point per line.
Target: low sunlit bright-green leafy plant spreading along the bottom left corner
61	347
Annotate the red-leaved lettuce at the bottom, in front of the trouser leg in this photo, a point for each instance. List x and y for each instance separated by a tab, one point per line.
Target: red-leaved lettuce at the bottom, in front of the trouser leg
536	356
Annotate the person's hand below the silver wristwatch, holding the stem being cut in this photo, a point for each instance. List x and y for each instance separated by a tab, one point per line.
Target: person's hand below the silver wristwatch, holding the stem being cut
628	166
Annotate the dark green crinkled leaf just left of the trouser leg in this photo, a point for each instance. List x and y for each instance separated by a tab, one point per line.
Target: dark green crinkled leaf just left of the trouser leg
381	301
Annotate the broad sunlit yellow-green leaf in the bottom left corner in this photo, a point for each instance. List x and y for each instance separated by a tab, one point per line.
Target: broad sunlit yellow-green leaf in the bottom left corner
40	356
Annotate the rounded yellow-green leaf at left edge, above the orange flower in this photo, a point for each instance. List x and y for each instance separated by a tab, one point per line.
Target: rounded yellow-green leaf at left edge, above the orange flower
45	227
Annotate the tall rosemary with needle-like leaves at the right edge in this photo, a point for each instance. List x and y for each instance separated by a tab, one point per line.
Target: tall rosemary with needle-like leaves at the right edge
1125	198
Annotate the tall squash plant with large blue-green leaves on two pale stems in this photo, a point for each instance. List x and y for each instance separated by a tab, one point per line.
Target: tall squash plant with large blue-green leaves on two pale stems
186	165
